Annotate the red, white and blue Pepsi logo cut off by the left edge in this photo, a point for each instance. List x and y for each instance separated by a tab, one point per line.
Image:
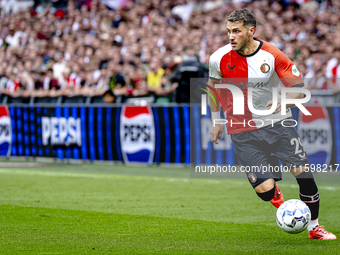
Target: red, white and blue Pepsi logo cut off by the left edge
5	132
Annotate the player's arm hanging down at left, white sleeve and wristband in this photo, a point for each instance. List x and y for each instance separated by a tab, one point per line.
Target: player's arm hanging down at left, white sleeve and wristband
216	130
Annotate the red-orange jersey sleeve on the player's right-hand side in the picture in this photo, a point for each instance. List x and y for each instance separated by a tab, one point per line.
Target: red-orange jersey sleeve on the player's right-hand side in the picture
287	71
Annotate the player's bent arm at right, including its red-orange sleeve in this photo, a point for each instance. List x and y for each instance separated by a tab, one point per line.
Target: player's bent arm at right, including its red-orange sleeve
289	76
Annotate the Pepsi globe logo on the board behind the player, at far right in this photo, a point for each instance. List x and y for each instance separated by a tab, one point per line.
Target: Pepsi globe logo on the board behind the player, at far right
316	135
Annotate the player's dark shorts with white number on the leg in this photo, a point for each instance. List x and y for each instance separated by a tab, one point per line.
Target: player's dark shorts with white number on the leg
260	149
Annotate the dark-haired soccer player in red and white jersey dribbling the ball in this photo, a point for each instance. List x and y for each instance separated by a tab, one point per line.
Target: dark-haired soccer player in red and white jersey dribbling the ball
249	62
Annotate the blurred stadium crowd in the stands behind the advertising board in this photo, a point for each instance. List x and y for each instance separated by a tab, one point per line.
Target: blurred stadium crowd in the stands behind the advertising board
89	49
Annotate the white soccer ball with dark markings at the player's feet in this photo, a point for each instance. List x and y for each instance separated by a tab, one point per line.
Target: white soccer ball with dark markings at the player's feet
293	216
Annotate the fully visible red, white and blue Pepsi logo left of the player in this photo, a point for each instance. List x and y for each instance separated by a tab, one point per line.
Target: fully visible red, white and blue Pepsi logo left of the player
137	134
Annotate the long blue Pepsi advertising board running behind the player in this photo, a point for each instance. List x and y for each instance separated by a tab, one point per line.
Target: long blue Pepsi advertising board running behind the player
176	134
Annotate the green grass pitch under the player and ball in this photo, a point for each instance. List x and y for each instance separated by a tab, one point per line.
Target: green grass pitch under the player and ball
103	209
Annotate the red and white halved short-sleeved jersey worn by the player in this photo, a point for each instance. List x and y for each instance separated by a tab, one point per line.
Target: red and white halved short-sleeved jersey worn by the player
262	70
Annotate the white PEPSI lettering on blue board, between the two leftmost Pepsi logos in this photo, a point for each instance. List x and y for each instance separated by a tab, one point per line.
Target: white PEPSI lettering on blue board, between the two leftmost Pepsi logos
61	131
